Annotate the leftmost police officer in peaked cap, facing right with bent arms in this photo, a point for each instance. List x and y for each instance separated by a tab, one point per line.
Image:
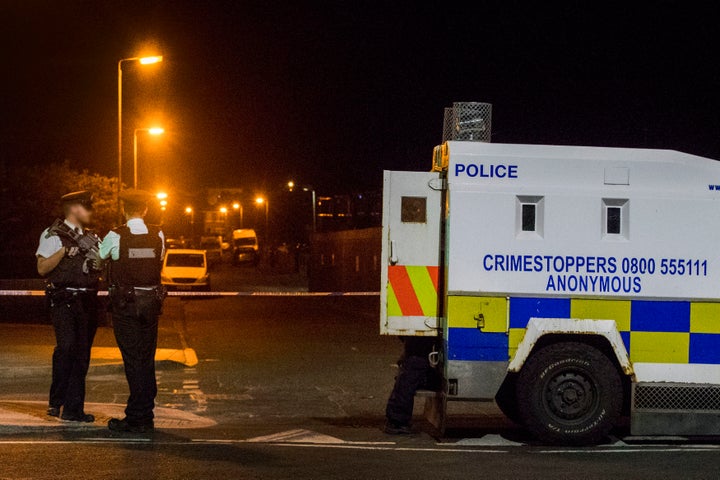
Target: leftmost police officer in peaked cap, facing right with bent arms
72	297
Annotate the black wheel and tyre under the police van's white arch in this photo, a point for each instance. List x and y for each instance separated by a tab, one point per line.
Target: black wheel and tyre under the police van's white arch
569	394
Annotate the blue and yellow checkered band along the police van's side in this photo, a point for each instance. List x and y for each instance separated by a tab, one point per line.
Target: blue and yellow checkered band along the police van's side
653	331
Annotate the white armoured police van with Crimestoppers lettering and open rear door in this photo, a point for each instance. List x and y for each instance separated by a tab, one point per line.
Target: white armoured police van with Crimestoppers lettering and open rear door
573	285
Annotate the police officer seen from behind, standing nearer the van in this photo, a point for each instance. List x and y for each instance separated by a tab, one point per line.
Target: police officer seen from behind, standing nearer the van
136	251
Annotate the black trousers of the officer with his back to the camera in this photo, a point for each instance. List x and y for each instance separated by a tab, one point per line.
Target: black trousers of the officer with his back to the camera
136	331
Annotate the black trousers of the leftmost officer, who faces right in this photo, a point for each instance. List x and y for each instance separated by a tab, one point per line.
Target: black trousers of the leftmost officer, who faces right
75	322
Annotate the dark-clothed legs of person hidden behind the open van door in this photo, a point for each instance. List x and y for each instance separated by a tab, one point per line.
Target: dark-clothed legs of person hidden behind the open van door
415	373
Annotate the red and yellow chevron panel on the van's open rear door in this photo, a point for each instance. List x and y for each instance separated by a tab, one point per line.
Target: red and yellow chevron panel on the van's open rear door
412	291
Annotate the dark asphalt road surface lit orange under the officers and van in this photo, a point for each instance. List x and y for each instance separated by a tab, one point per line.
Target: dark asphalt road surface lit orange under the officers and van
287	387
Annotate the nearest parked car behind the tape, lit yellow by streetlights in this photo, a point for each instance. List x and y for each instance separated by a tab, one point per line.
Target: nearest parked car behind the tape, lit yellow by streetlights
185	270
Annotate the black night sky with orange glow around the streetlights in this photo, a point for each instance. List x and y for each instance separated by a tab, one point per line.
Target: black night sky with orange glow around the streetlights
253	94
